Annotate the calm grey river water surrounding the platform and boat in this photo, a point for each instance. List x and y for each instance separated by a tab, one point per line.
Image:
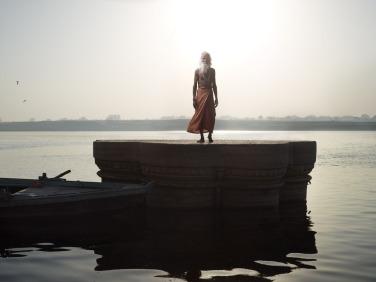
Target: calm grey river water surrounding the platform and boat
336	241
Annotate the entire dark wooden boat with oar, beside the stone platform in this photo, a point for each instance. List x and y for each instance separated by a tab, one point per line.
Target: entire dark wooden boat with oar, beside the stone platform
51	197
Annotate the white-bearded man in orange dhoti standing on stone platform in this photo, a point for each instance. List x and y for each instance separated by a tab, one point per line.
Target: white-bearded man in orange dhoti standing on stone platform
203	88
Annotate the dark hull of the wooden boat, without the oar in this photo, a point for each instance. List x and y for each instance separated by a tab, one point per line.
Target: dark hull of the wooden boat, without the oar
69	200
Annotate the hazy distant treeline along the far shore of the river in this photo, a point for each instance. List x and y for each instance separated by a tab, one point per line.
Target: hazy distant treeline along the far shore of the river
181	124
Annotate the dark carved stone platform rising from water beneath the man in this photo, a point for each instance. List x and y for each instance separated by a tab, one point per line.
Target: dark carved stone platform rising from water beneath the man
223	174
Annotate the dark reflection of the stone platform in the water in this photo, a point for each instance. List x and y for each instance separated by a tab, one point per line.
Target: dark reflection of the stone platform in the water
179	241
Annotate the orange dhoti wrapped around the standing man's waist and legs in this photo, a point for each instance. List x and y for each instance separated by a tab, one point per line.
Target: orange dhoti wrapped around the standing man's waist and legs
204	118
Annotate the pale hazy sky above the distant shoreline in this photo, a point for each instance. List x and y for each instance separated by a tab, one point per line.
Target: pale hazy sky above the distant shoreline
136	58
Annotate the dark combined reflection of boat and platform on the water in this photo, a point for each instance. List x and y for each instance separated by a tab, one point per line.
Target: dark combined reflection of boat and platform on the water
236	245
